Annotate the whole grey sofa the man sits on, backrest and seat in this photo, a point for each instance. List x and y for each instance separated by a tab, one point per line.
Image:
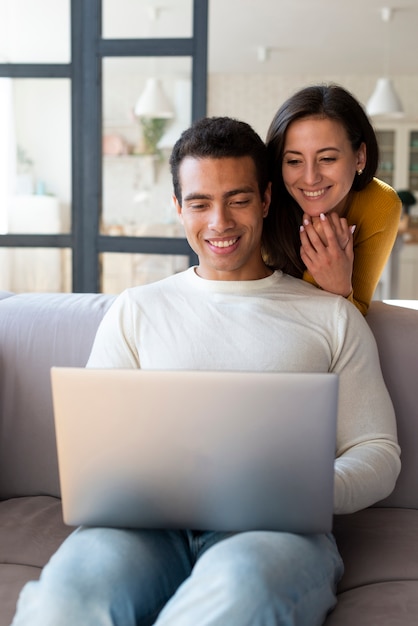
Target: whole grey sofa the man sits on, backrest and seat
379	545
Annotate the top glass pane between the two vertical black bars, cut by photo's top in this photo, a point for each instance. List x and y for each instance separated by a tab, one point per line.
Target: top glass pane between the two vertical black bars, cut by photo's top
130	19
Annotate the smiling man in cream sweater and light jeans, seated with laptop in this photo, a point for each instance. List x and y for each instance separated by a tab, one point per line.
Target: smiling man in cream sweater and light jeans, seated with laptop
231	312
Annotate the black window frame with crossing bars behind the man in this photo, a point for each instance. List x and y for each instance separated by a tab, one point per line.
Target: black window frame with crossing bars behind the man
88	49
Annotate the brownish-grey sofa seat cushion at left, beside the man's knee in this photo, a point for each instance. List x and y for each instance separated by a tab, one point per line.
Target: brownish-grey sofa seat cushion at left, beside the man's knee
31	529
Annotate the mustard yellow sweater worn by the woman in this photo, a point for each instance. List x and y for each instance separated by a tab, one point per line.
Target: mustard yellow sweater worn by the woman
376	213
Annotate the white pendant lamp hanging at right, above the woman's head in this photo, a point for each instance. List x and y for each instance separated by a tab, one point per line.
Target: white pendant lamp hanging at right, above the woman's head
385	102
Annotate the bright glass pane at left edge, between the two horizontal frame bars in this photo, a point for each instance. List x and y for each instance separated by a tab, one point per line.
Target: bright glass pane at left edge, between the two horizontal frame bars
35	156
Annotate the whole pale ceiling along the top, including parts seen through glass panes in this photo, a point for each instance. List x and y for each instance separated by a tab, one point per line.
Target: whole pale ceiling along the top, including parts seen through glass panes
311	37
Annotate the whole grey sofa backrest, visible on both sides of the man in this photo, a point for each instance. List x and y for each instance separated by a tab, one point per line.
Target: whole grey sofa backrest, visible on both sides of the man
41	330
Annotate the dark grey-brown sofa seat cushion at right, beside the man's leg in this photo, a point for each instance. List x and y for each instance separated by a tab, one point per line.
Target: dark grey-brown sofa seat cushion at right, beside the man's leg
380	553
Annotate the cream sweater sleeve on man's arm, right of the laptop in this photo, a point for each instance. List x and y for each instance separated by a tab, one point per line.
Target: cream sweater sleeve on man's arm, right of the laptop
367	455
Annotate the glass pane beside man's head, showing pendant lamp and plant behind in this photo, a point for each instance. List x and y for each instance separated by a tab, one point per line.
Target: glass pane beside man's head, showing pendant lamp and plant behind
137	185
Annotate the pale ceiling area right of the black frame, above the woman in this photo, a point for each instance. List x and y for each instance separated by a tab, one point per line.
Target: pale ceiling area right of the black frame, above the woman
313	37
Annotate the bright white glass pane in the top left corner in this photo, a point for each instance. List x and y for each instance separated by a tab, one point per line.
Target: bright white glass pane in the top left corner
34	31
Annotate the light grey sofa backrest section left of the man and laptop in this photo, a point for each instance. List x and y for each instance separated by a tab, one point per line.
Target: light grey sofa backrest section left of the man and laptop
36	332
